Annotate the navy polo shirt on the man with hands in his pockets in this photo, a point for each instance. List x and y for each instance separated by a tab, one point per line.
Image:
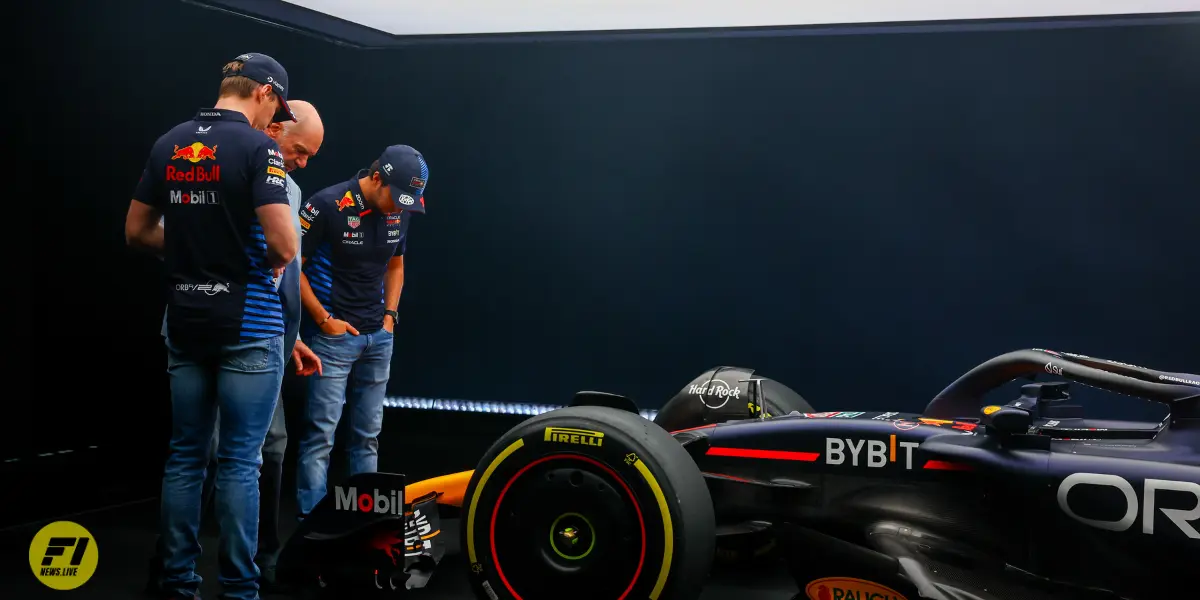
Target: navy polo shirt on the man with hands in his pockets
347	248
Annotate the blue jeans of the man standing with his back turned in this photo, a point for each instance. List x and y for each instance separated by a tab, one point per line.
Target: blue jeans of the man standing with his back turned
244	382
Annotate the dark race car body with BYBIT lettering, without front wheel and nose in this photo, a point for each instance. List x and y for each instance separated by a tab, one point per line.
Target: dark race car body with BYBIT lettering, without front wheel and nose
1024	501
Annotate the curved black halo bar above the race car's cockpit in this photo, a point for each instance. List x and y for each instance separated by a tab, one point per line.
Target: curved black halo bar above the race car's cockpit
963	399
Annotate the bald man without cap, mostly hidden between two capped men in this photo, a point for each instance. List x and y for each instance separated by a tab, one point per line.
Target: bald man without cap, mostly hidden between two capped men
299	141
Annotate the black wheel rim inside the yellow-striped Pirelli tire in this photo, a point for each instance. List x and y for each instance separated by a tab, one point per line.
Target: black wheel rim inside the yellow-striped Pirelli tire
568	525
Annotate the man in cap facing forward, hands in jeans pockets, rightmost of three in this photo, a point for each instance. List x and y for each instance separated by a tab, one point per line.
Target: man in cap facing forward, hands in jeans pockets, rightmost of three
356	236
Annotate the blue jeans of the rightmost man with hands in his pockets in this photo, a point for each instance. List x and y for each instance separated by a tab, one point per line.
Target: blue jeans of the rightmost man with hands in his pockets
356	374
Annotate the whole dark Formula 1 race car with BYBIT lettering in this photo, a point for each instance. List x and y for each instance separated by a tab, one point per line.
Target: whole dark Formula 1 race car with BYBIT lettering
1024	501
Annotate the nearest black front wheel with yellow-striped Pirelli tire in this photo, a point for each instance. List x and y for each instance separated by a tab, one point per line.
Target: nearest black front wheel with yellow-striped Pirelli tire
632	496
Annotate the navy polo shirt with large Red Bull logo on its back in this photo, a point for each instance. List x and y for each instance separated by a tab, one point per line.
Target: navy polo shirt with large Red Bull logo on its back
207	177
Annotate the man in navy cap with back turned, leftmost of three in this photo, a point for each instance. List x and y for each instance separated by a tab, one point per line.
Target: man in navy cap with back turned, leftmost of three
221	184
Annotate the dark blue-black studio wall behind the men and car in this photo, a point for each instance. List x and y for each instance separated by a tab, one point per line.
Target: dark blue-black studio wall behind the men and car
861	217
